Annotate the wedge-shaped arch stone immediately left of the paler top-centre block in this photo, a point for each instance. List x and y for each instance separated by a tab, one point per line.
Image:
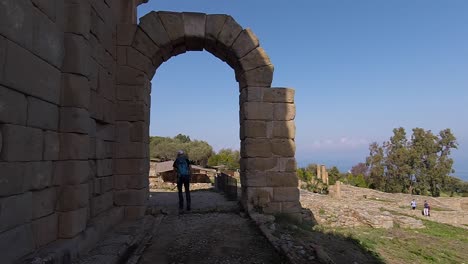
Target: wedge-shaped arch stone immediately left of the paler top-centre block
173	22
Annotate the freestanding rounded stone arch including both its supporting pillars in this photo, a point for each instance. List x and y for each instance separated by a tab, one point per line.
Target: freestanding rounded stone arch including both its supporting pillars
267	128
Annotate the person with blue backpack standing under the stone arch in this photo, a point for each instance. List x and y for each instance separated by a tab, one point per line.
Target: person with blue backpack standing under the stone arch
182	168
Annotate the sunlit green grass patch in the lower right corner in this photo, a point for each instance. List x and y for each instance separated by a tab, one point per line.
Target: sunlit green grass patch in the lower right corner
437	243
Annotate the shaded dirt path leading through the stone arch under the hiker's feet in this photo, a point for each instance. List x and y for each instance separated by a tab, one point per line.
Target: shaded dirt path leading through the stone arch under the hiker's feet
214	232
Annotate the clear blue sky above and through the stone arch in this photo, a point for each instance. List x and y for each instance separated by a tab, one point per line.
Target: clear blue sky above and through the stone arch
360	68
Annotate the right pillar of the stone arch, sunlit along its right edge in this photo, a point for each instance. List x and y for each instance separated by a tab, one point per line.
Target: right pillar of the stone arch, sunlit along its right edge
268	166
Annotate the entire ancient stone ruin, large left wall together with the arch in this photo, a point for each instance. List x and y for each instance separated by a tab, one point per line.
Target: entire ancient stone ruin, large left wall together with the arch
74	118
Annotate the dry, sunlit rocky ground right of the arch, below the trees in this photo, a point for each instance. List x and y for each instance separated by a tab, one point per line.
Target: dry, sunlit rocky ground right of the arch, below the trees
360	206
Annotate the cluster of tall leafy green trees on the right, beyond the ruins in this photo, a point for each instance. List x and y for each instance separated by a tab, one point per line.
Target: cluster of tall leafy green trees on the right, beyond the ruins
420	165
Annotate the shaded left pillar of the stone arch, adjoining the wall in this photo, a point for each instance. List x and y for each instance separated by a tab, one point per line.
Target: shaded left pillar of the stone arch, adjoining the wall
131	155
